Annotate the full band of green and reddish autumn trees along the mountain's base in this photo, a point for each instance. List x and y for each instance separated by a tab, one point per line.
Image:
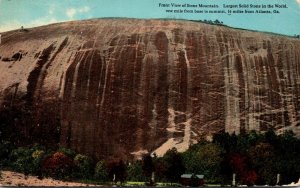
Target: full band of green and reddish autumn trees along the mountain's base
254	158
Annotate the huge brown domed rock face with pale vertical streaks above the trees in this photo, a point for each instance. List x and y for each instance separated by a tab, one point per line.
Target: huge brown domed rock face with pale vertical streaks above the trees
124	87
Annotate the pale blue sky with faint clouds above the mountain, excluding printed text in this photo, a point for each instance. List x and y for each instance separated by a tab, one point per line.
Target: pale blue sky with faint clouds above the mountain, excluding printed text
31	13
